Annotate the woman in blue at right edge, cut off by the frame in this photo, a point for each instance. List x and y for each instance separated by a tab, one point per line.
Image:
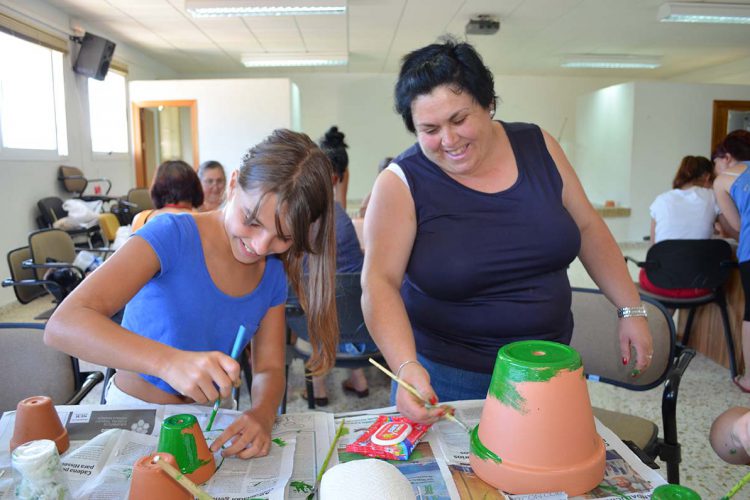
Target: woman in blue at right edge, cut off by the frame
732	188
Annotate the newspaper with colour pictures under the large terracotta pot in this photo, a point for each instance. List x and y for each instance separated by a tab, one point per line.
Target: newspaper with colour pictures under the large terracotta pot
441	467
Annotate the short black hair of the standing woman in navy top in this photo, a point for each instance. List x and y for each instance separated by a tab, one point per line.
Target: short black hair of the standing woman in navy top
452	63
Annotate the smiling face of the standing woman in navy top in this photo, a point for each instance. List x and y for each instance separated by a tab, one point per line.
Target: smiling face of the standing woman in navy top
453	130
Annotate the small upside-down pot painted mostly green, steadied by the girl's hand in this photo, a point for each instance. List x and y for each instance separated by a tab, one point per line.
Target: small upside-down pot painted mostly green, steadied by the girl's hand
182	437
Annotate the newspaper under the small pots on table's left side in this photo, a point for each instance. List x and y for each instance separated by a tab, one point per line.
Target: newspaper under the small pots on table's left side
107	440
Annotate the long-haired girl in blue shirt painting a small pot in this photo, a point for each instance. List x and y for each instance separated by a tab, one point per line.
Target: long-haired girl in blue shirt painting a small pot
190	280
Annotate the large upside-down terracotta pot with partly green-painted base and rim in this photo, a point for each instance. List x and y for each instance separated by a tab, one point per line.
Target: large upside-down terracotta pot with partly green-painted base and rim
537	432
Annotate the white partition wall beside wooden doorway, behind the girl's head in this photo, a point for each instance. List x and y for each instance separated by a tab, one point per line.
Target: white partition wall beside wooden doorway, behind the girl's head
233	114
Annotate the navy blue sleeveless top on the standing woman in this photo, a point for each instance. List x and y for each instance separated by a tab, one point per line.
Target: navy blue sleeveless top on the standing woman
487	269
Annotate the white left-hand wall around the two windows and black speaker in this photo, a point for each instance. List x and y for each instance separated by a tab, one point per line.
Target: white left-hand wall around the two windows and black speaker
24	181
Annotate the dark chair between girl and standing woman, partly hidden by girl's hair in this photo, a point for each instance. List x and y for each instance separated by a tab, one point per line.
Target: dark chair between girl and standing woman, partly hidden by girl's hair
351	326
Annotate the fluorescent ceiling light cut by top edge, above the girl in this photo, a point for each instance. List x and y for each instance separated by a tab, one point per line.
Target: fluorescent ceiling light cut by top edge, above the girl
213	8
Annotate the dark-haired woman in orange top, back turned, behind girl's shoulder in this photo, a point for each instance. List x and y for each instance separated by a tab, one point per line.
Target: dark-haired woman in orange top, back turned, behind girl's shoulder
175	188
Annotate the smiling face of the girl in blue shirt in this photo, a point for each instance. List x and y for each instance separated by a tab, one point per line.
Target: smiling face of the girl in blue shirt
252	234
